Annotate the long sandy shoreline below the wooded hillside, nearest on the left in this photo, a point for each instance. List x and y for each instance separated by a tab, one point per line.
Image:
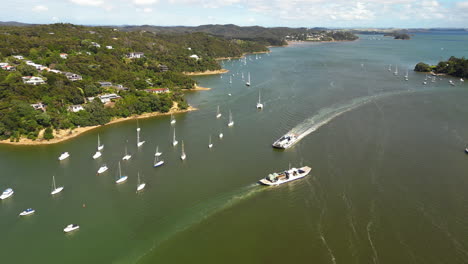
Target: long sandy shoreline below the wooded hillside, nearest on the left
66	134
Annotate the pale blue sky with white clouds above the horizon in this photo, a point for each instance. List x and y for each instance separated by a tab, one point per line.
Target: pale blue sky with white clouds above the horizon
292	13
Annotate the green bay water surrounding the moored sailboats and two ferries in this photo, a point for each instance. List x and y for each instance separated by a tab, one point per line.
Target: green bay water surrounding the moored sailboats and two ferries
388	181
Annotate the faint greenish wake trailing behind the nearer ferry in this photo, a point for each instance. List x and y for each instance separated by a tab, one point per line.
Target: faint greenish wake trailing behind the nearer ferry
191	216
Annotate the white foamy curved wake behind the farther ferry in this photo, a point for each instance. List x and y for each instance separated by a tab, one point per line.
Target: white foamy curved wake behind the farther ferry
325	115
